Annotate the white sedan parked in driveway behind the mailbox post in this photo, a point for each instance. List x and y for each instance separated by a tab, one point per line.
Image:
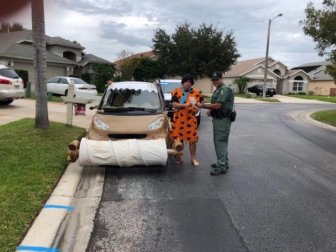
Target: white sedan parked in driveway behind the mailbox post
59	85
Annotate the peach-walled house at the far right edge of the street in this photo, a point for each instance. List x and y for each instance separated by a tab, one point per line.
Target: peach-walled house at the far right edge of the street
320	82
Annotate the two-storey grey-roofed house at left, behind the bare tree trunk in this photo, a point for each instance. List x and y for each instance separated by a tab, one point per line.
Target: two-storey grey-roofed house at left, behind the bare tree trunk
64	58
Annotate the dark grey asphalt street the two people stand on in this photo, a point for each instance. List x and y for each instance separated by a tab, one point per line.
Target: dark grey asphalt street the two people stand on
279	194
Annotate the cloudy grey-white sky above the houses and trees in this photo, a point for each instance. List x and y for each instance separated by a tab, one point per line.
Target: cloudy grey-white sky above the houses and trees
106	27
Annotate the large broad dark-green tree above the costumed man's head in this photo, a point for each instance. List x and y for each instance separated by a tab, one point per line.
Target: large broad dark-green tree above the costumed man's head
198	52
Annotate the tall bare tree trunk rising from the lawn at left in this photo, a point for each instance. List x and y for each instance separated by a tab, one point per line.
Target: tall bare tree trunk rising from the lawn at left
40	64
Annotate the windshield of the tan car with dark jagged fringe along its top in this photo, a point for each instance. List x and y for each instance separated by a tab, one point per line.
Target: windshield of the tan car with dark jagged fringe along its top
131	100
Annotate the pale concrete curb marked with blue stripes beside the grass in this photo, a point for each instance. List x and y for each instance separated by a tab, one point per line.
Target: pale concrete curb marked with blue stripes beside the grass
51	221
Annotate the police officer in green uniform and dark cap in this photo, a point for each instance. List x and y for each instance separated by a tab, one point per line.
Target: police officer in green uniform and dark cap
222	101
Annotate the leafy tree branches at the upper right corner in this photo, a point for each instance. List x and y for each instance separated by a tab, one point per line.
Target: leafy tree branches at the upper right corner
320	25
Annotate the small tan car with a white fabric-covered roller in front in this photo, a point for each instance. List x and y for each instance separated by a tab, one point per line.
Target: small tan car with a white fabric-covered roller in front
129	128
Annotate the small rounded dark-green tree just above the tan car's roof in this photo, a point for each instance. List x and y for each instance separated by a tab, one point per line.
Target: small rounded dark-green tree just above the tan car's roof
146	70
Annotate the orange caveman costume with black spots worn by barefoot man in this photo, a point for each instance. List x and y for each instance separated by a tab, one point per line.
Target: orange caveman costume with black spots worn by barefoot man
184	125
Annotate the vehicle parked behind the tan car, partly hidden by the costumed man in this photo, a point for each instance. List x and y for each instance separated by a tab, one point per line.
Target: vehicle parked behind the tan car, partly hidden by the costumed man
167	86
